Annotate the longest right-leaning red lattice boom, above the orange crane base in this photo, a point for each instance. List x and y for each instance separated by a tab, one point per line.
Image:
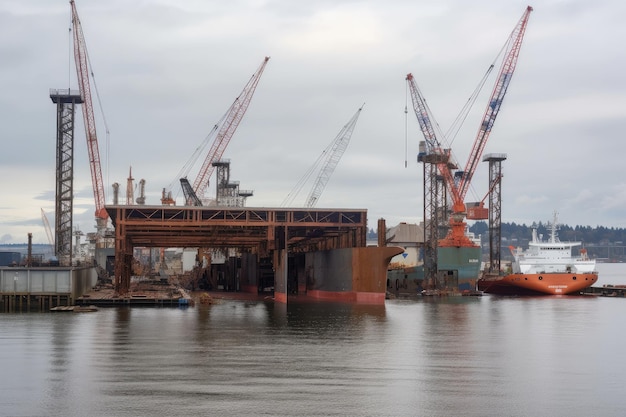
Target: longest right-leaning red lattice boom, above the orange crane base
495	102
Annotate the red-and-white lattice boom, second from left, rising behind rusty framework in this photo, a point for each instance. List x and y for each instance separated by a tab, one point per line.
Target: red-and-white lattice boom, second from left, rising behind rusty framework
231	122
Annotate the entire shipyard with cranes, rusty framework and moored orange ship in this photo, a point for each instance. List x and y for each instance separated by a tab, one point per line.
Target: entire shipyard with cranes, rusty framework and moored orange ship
321	253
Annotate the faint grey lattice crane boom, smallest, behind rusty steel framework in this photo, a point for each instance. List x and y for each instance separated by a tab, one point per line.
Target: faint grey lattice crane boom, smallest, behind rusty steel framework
328	160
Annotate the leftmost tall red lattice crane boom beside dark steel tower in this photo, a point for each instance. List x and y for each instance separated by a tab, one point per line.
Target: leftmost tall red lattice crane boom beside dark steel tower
82	71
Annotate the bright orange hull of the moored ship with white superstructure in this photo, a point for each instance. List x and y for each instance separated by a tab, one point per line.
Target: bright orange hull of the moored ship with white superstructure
551	283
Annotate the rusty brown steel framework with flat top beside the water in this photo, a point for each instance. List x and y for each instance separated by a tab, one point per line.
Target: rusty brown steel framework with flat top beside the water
264	231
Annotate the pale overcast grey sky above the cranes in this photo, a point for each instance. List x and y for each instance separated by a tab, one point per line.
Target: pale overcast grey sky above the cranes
166	71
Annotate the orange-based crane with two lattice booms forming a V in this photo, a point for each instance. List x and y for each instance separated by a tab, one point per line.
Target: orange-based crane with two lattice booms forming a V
458	184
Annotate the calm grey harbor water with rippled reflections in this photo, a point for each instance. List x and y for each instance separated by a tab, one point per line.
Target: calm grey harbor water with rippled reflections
460	356
